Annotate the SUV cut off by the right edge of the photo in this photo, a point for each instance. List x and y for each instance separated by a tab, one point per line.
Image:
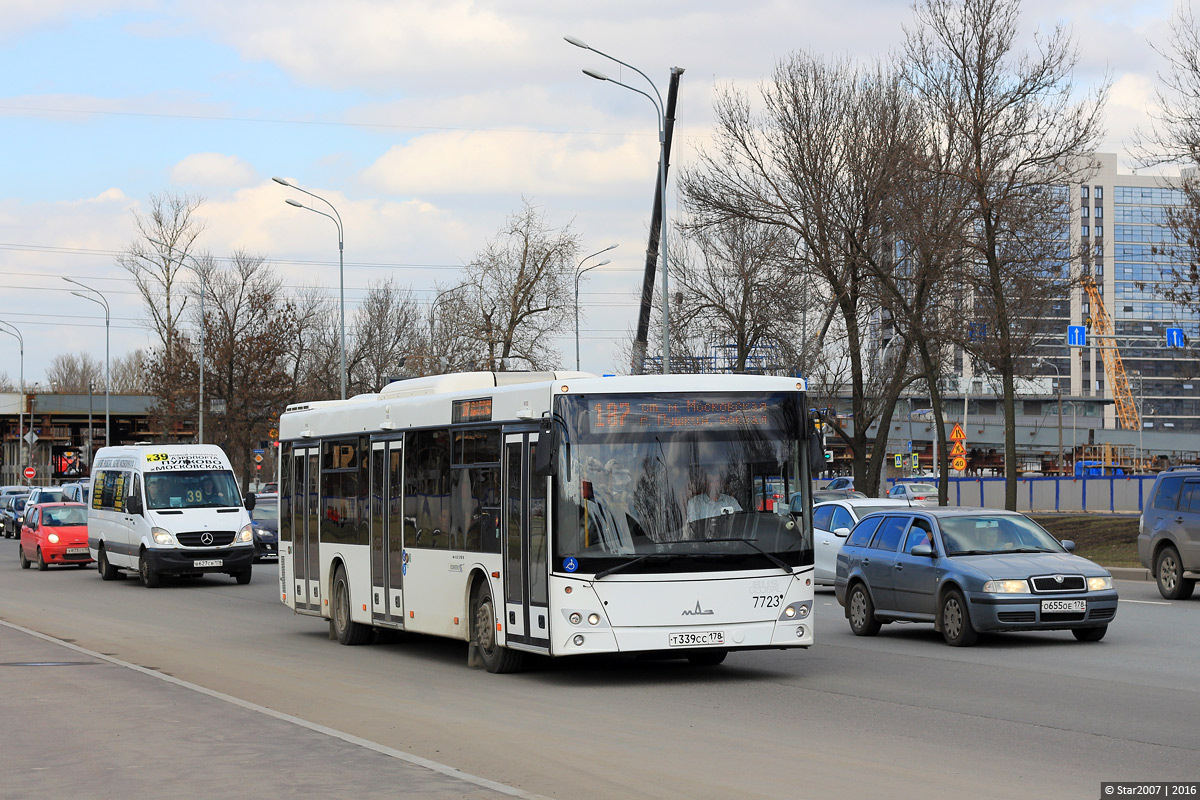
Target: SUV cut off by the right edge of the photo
1169	533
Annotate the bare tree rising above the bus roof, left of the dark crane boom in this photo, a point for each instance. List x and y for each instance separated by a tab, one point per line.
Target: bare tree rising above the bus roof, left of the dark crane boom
521	290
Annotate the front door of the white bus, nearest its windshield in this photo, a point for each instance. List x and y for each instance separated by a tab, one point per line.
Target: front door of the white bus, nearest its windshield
526	539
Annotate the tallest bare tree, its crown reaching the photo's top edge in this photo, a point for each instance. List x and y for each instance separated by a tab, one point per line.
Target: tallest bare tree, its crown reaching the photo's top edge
1016	133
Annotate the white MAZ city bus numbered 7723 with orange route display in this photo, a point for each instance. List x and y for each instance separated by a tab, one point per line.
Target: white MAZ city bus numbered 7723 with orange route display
554	514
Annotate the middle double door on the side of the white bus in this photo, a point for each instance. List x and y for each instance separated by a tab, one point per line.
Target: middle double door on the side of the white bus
387	525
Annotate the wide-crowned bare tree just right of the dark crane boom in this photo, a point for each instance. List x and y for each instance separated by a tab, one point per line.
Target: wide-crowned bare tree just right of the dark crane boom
821	163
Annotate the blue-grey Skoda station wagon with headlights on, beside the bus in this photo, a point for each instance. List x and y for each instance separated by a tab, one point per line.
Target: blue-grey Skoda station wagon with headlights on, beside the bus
969	570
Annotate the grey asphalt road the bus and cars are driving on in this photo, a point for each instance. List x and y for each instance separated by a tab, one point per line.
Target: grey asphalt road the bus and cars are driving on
899	715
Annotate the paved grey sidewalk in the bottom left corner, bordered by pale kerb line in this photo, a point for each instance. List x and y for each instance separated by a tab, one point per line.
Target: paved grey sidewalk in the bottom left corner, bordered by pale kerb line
81	725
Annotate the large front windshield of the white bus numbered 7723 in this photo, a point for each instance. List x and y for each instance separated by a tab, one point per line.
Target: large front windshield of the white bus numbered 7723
695	478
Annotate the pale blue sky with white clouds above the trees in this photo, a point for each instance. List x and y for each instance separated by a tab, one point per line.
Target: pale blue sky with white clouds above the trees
424	123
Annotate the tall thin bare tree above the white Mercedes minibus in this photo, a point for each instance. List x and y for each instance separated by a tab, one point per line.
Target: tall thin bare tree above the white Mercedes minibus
167	238
